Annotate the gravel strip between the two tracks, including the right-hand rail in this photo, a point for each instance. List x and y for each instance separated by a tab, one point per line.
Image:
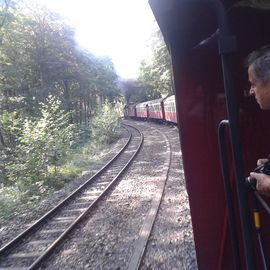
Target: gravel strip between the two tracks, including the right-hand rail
126	222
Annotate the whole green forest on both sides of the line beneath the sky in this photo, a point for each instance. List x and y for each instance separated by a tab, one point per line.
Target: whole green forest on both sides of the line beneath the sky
59	104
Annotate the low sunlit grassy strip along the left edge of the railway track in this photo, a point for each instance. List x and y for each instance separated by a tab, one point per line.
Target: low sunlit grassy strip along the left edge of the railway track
16	200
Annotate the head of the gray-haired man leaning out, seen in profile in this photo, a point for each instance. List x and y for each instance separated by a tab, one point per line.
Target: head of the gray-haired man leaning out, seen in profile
258	63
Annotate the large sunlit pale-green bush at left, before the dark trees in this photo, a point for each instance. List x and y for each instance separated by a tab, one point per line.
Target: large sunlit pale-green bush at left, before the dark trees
43	143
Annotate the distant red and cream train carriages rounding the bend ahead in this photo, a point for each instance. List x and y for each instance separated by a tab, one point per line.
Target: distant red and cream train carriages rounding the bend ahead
162	109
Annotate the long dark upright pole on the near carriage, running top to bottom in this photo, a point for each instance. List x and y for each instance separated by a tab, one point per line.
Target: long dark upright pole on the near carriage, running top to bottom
227	46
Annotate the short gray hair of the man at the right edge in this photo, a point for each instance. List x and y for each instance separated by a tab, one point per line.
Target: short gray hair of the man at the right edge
260	60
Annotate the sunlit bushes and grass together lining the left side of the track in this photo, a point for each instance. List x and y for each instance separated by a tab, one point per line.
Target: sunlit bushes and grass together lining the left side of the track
44	159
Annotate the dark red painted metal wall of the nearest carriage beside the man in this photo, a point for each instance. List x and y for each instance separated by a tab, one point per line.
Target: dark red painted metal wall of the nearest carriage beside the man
201	106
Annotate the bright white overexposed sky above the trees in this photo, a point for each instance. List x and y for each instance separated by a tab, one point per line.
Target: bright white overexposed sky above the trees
120	29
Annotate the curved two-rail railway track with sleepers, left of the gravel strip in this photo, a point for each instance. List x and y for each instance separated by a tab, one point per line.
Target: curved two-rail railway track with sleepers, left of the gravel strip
34	245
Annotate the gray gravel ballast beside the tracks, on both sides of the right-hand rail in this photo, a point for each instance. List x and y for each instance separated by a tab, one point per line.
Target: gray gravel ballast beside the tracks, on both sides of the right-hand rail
107	237
